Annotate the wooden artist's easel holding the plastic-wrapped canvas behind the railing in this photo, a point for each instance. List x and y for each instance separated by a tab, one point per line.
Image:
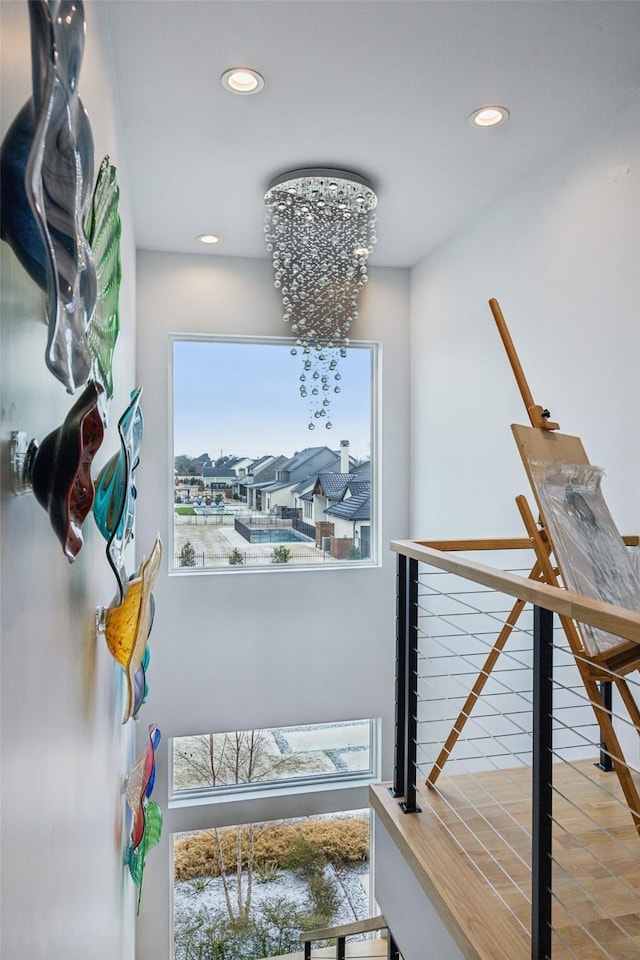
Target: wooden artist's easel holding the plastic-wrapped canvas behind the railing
542	442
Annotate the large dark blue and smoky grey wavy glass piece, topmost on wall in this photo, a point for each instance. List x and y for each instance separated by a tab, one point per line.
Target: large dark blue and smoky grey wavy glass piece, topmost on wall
47	172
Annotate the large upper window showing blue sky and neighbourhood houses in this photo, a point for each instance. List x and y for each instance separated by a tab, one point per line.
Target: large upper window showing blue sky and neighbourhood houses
274	455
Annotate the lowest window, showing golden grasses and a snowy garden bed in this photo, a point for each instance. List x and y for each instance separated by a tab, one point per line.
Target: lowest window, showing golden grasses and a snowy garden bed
250	890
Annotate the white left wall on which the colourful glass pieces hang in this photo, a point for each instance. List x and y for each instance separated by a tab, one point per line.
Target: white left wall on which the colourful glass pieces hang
64	893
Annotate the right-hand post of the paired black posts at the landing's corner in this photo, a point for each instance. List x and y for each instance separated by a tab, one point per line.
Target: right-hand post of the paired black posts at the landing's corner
409	804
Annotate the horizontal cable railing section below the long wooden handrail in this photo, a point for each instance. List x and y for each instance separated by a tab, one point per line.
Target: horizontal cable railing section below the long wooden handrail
455	630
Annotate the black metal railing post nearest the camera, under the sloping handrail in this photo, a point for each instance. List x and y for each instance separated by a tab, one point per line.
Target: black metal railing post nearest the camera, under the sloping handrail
542	787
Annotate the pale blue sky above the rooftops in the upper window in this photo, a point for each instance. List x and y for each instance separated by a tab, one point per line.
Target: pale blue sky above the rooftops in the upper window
243	398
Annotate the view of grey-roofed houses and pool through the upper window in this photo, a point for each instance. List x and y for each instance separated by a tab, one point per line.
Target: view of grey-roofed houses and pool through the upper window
309	508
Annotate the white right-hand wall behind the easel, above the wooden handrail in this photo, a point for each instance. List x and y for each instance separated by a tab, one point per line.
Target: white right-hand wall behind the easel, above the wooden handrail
561	255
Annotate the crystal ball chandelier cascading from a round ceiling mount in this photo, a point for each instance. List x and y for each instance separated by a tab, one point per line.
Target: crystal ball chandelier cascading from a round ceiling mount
320	230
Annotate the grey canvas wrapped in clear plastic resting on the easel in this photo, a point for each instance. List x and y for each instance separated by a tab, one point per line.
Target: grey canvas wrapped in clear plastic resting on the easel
588	548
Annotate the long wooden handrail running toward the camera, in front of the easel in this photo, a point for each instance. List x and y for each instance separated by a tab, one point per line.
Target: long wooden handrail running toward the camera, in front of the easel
605	616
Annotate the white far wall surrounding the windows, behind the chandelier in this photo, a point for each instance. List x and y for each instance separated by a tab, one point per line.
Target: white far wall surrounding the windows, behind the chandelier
266	648
